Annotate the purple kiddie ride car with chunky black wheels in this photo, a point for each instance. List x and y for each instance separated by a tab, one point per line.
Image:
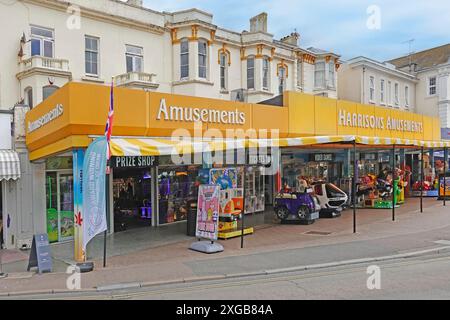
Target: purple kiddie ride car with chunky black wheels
291	207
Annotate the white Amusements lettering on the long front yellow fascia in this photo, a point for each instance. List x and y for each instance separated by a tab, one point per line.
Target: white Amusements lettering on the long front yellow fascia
175	113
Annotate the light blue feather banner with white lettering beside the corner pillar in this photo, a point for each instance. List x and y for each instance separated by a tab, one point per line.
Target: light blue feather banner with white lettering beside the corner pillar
94	200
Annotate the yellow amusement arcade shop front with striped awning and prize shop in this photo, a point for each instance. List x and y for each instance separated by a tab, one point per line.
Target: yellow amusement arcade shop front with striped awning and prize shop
165	146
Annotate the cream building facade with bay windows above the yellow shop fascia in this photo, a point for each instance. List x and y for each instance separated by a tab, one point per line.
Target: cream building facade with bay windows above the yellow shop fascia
49	43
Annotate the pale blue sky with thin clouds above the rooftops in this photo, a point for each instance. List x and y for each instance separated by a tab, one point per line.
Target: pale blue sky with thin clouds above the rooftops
376	29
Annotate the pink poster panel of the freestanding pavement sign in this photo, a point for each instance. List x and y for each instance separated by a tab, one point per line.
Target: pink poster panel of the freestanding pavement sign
208	212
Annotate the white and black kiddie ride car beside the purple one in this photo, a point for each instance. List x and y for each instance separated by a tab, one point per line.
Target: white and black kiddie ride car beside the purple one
331	199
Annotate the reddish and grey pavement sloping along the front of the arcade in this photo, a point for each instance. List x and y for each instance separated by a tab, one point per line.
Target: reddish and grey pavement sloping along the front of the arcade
272	248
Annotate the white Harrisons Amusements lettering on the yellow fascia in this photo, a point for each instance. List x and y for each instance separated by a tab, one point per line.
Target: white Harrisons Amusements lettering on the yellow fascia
357	120
